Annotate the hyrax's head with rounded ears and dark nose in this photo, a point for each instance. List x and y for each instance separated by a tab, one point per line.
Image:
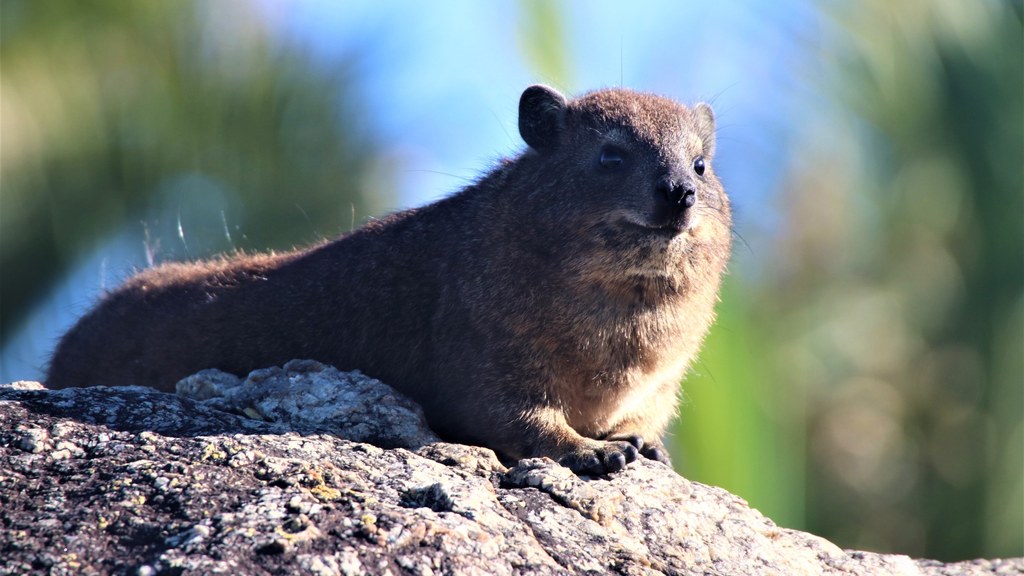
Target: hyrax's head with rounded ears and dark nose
626	162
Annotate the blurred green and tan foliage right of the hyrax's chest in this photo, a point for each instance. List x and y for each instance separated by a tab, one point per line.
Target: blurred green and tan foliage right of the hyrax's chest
871	380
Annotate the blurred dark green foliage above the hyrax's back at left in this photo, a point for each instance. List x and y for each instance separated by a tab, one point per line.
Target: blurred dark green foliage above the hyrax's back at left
184	124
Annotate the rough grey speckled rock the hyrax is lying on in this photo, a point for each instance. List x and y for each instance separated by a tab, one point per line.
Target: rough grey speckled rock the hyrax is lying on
253	477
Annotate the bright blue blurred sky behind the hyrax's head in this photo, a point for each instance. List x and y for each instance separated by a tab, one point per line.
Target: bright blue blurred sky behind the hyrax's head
445	78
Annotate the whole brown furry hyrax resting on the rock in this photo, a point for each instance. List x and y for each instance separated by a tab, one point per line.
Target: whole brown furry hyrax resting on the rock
549	310
